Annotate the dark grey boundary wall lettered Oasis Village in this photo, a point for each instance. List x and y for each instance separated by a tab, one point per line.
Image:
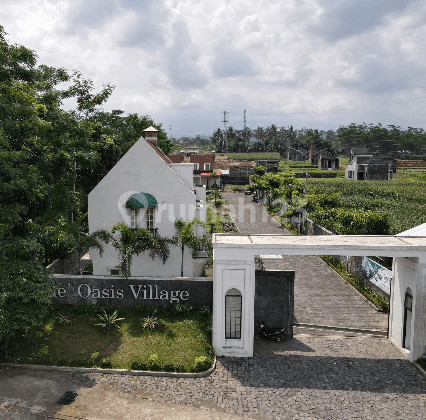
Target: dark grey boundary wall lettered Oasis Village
100	290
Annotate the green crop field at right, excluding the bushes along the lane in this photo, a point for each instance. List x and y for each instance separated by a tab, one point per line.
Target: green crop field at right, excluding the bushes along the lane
403	201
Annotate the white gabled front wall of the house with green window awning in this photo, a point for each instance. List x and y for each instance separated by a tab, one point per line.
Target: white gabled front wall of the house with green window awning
141	170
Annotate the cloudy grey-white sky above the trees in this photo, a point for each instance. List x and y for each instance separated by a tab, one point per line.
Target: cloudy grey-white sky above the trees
309	63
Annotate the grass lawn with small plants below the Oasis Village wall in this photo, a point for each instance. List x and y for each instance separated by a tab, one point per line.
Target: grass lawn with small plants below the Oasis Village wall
181	335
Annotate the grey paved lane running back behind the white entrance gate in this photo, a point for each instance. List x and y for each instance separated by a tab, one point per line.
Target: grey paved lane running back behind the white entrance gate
321	296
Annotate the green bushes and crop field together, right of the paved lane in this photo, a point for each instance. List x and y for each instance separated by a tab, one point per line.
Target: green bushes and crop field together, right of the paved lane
346	206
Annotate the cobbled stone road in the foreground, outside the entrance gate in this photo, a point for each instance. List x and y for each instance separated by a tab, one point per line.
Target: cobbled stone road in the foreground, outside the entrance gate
303	378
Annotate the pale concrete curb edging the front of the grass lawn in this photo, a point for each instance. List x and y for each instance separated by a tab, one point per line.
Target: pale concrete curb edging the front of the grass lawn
115	371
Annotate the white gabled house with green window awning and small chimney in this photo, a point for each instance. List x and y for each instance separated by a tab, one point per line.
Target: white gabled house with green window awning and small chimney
145	189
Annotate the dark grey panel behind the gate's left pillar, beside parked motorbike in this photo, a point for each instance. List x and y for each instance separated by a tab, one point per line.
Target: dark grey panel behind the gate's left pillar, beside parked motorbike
274	299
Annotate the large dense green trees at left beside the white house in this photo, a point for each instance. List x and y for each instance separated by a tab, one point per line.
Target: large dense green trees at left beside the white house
51	158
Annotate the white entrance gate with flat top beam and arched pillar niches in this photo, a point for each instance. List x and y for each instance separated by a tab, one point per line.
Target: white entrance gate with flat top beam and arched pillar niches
234	270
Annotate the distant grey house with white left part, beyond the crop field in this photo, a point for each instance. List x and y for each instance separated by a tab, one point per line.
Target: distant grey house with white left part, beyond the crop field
370	167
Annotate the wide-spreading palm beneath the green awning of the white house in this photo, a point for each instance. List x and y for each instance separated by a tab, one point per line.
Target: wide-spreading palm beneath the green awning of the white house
129	242
